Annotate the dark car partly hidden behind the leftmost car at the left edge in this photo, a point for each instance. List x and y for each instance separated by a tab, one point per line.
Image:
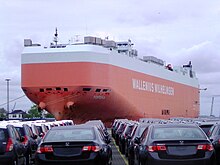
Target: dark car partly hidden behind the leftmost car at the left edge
29	141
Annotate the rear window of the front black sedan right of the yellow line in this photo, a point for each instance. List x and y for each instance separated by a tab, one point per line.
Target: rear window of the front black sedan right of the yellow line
178	133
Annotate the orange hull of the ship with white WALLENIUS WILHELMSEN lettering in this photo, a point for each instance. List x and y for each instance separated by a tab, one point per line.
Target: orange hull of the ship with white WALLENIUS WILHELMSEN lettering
88	90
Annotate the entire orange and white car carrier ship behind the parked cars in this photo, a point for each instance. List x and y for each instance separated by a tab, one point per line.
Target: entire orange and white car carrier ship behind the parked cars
103	79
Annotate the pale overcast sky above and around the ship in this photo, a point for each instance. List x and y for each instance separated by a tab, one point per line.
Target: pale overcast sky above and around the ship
177	31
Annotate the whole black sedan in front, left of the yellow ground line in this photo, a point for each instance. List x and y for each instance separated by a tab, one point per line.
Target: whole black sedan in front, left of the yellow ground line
78	144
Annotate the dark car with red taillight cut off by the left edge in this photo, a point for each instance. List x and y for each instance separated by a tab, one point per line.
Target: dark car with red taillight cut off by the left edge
12	151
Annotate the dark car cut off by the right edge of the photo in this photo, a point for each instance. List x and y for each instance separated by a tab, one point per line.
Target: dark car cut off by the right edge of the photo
214	136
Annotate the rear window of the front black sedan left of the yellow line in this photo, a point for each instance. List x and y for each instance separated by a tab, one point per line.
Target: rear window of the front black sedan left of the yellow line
70	135
